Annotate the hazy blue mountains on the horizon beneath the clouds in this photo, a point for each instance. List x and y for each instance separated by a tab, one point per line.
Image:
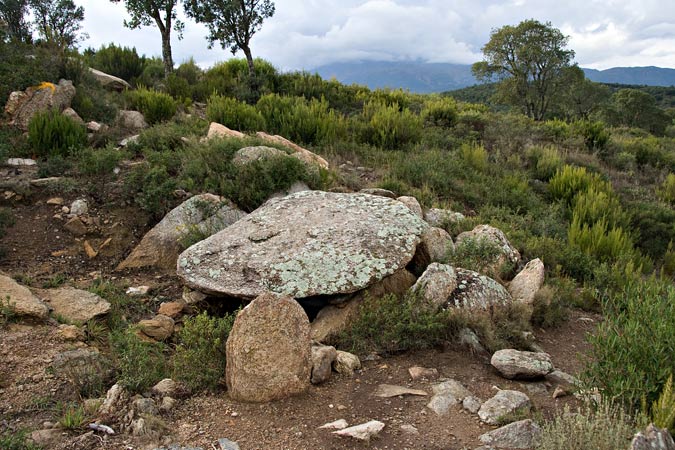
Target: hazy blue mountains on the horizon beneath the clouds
421	77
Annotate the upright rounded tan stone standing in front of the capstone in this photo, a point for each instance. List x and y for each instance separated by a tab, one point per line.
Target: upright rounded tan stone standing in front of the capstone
269	350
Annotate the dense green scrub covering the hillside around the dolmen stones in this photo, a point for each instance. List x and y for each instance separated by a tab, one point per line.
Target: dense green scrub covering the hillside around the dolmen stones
589	189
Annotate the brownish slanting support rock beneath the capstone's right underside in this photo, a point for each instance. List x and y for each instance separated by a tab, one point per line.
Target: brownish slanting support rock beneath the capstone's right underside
333	319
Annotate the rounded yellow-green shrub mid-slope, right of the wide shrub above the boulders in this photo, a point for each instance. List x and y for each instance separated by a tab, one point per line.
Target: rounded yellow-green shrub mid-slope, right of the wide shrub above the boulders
389	126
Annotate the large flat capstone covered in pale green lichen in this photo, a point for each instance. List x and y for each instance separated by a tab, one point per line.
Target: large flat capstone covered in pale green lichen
305	244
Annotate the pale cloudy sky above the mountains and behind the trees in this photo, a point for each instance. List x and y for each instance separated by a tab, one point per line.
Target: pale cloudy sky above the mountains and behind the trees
304	34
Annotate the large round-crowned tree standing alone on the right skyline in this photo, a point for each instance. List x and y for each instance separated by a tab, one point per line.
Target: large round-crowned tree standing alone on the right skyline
529	60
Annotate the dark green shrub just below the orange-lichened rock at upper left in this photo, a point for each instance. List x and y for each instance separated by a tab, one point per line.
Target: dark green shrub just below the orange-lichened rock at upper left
51	133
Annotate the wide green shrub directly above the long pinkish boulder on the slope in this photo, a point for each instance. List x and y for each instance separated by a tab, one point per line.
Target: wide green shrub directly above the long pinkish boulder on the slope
300	120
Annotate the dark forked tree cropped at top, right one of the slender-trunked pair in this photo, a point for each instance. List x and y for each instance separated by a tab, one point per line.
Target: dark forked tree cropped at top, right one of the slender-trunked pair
232	22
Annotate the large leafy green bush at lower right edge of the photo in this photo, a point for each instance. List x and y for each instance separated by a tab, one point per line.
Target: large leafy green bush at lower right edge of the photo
631	355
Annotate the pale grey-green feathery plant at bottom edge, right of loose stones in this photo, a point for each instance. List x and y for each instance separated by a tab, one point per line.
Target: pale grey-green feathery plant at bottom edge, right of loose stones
605	428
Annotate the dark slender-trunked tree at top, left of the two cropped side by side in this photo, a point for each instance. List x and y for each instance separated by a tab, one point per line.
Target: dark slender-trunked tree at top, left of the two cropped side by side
163	14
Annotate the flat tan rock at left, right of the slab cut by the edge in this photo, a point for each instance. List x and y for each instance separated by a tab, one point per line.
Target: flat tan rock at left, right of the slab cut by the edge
75	305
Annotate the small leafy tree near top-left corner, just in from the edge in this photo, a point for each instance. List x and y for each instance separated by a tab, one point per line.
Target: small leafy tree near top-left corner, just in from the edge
58	22
